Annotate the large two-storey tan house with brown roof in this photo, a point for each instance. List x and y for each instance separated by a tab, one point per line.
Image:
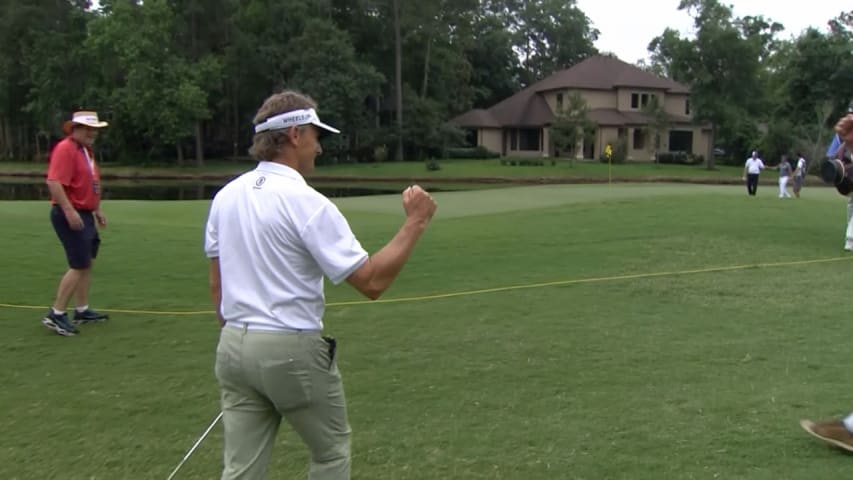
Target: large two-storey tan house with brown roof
615	94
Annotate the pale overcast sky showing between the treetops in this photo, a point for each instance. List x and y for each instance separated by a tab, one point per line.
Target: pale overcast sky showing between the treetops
627	26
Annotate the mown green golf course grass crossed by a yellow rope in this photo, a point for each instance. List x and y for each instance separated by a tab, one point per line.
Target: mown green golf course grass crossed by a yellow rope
640	332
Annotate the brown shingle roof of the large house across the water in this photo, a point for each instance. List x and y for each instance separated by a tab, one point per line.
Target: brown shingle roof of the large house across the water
528	107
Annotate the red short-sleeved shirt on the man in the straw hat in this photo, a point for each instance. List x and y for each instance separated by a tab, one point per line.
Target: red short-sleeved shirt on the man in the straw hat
78	173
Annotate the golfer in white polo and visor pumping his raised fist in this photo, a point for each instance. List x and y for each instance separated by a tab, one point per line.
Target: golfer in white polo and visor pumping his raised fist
271	239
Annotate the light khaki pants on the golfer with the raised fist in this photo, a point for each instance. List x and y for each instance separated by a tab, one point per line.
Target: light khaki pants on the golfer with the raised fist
264	376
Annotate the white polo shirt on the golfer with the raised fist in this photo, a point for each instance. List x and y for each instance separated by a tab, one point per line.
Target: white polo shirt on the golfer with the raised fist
276	237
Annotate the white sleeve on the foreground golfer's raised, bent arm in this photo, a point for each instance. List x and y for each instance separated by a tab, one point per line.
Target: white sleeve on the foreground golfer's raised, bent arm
329	239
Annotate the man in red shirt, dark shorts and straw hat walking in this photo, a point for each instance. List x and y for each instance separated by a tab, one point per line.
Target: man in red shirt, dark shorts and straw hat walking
75	192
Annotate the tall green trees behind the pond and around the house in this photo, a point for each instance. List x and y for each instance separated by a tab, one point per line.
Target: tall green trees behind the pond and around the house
180	80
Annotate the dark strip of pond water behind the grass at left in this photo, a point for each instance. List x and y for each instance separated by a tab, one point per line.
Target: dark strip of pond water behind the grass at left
165	191
